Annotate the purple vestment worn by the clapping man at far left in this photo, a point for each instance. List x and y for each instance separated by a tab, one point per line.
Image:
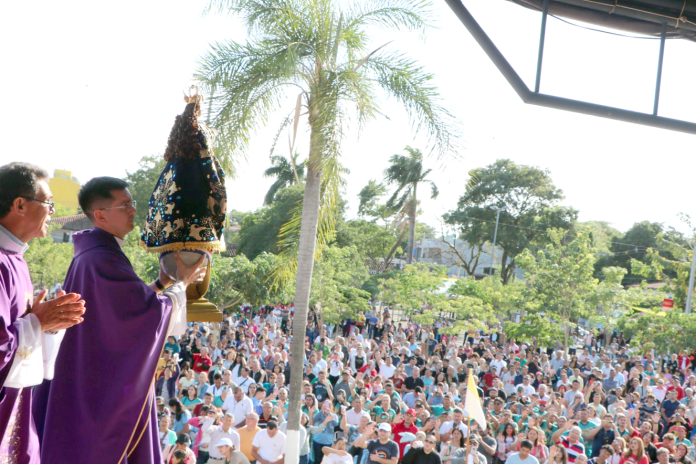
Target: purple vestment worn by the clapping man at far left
19	443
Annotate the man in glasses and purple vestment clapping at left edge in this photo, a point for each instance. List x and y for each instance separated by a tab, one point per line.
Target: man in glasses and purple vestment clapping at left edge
30	334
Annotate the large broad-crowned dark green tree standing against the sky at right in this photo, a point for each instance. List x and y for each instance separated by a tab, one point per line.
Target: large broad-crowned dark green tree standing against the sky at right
531	202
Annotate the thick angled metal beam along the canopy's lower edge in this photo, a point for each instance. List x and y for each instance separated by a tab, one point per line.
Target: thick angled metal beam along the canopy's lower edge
561	103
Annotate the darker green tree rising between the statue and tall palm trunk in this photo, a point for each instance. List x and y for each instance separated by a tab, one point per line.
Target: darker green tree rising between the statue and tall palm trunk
260	229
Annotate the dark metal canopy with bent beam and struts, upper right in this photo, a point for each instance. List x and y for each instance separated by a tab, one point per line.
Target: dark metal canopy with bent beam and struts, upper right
537	98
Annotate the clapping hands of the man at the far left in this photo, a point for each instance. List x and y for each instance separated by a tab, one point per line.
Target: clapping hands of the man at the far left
60	313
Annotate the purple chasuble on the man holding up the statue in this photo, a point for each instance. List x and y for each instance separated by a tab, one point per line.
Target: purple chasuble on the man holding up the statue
101	399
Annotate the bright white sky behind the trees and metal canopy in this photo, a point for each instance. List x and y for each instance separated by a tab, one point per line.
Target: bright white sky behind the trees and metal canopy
92	87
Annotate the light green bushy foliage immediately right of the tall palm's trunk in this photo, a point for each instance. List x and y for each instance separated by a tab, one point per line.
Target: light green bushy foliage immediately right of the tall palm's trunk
336	284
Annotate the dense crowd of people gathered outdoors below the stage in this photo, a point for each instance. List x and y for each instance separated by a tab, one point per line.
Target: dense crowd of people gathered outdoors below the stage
379	392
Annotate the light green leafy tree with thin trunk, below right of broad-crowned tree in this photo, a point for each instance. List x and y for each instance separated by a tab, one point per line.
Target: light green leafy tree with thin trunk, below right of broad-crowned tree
559	278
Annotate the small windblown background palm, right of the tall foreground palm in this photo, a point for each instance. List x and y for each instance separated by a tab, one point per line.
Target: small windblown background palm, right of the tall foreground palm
407	172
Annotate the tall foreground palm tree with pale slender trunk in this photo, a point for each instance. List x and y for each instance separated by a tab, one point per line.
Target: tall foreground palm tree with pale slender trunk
317	48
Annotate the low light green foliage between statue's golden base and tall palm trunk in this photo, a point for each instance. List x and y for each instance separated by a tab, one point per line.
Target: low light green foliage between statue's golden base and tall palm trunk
238	280
